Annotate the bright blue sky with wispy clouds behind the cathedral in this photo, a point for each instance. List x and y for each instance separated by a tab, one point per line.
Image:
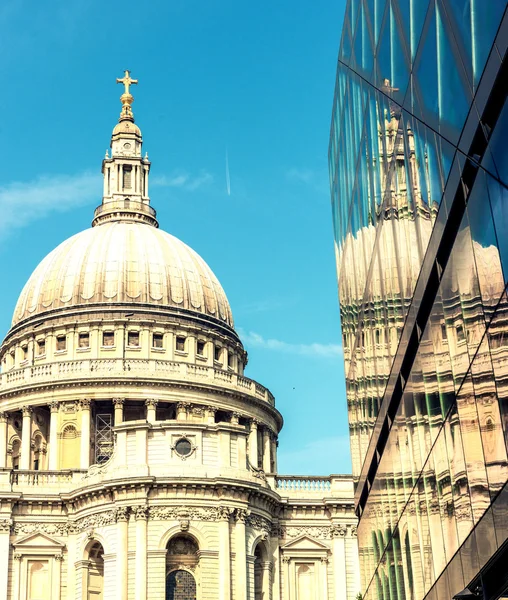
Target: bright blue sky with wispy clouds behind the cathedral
255	78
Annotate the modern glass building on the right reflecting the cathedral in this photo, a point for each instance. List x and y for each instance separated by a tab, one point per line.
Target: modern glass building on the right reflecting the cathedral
418	163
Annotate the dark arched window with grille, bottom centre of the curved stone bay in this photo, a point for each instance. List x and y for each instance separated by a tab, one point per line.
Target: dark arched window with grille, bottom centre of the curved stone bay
181	563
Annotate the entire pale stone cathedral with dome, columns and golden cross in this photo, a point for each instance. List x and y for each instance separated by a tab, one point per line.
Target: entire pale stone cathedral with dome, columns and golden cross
136	459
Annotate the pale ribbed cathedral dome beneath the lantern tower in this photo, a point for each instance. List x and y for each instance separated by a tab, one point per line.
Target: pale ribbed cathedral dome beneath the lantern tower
122	262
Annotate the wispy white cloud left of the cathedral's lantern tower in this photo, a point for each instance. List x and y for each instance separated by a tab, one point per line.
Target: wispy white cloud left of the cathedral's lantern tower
24	202
